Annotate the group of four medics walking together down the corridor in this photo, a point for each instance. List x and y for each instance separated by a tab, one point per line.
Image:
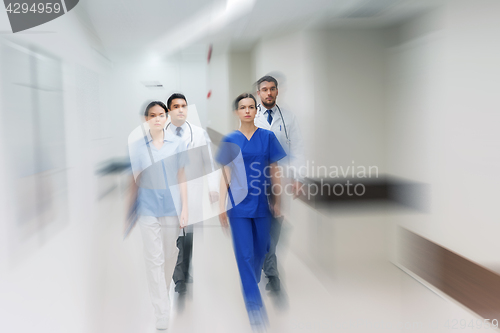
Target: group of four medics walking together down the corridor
169	161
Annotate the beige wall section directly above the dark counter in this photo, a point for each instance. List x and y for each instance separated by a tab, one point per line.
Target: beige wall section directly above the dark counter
349	89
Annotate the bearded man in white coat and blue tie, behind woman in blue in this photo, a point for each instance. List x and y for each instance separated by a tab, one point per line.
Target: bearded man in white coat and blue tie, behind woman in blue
285	126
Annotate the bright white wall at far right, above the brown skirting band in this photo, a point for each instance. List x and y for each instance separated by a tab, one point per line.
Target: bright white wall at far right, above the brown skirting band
443	123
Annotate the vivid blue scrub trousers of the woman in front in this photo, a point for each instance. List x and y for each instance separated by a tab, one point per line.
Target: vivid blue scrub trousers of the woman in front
251	238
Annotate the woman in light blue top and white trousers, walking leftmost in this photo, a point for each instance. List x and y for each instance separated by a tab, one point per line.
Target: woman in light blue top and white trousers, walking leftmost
159	193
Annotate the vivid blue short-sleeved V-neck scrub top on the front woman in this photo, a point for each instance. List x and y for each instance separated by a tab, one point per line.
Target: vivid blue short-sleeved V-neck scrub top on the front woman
249	161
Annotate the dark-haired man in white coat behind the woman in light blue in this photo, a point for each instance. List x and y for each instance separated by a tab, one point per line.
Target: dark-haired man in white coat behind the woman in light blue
200	163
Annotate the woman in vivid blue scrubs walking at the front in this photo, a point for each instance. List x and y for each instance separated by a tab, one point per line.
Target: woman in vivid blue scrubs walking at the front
249	156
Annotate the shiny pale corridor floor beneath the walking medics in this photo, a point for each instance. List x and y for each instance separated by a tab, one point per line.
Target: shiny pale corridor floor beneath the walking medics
357	297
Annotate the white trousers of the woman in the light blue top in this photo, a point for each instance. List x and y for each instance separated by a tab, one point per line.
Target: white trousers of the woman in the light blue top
159	236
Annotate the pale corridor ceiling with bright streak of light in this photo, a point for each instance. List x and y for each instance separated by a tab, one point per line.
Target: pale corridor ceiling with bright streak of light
132	30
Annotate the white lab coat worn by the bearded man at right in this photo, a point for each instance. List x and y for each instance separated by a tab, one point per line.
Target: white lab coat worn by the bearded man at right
294	146
